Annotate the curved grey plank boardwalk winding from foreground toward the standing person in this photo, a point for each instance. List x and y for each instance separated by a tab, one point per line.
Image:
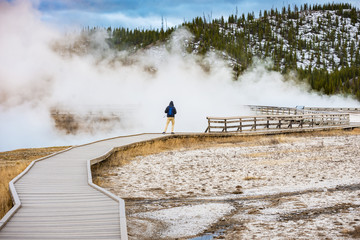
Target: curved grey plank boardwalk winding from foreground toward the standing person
57	202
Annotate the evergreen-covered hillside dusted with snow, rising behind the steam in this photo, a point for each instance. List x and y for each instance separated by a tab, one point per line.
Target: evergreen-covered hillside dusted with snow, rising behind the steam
319	42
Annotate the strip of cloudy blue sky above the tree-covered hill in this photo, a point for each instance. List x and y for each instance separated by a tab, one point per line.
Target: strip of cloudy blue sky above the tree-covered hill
150	14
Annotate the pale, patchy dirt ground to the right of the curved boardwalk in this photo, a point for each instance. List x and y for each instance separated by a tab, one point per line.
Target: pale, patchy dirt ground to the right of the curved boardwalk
294	187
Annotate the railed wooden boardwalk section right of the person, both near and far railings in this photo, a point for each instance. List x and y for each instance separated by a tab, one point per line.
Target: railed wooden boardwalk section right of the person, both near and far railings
282	118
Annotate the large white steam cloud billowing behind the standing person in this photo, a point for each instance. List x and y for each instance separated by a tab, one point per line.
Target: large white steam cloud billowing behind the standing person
43	70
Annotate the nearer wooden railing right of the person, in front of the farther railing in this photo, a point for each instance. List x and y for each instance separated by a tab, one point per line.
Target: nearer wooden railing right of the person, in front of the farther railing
261	122
